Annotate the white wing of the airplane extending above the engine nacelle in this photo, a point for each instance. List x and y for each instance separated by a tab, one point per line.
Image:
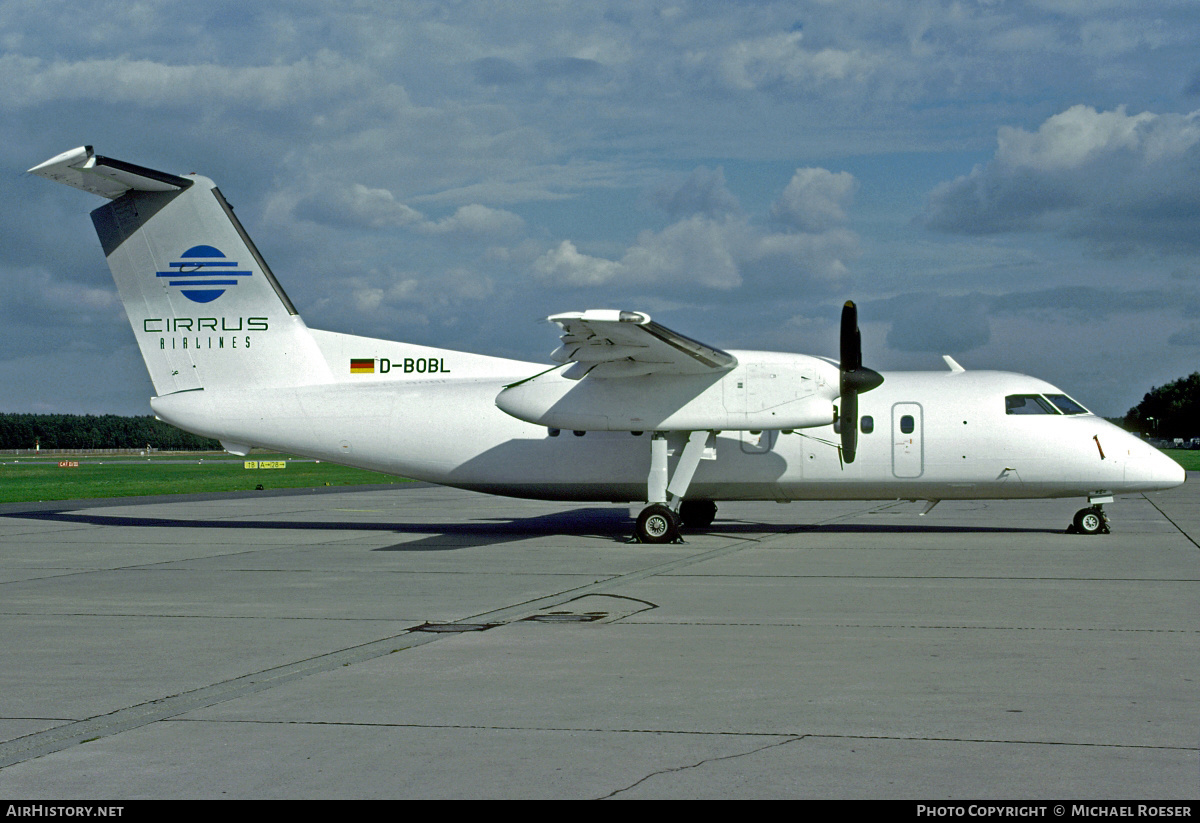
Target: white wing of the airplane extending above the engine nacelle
609	344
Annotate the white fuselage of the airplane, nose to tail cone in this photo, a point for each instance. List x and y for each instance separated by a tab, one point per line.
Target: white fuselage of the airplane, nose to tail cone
923	436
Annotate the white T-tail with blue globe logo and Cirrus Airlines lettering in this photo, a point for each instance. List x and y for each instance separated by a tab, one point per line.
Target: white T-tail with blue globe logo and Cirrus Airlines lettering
206	309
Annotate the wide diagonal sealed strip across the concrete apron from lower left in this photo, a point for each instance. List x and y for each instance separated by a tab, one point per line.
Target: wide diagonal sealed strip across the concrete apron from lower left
63	737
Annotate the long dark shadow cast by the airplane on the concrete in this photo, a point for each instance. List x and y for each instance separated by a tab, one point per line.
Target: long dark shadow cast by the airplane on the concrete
605	524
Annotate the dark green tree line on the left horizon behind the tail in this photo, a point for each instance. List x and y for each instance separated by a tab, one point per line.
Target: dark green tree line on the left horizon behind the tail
89	431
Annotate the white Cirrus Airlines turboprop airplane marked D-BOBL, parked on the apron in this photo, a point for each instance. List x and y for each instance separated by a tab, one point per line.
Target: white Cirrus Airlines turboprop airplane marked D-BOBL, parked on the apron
633	412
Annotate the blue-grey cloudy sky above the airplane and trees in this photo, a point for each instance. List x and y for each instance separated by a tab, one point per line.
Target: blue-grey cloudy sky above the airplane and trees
1013	184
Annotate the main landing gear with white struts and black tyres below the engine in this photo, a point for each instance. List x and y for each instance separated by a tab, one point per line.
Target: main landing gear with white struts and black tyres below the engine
668	512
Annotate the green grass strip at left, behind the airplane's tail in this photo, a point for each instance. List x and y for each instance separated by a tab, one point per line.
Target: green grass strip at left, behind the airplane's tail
25	479
